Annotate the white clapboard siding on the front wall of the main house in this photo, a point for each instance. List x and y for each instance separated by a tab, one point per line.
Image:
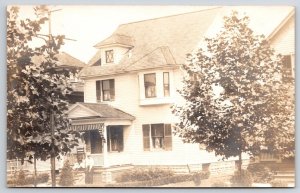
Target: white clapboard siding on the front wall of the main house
127	98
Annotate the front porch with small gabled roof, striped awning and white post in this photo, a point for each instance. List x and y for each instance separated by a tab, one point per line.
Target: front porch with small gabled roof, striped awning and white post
104	131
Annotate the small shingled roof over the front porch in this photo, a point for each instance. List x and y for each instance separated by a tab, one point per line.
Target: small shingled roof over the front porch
104	111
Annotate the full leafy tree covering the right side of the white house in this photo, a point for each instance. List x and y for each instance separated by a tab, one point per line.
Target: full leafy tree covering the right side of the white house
236	100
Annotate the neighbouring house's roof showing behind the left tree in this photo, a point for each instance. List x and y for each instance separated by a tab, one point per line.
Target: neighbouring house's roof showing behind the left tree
64	60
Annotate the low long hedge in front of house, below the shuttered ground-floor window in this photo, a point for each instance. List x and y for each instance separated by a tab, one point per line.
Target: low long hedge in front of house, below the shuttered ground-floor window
140	174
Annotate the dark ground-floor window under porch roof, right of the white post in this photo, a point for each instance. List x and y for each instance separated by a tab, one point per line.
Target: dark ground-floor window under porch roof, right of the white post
114	138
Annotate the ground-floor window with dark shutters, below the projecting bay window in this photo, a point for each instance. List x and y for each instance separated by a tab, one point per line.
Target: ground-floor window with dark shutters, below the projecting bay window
160	138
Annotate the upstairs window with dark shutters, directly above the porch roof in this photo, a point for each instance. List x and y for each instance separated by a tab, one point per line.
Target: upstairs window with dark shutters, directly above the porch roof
105	90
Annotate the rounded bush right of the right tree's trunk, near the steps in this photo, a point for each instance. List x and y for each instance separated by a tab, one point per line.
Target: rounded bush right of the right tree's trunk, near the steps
261	173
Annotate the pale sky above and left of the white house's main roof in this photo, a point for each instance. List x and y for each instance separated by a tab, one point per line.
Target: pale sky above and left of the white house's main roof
89	25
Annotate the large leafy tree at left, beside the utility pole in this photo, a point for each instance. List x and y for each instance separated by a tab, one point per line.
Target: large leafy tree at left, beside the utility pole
36	92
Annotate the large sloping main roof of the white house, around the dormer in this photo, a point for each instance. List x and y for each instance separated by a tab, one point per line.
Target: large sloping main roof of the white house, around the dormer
173	36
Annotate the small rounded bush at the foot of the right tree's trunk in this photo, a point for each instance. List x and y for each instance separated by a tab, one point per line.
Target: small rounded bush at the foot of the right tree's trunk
241	180
